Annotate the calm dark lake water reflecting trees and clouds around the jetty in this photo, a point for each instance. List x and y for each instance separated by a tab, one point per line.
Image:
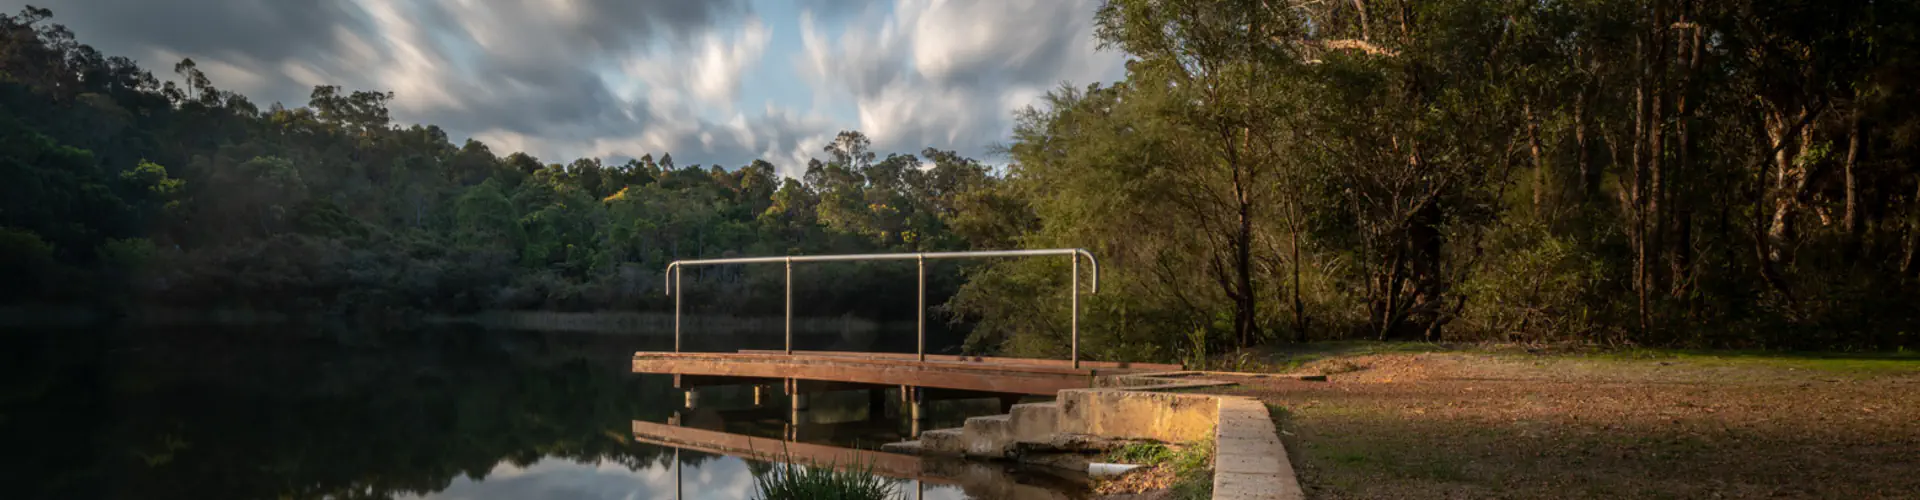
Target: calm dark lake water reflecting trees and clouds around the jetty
402	414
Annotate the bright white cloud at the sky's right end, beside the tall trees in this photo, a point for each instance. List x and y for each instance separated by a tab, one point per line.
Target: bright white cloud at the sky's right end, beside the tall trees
951	74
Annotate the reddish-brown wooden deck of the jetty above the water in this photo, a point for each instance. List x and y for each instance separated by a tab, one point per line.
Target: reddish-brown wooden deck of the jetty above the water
892	370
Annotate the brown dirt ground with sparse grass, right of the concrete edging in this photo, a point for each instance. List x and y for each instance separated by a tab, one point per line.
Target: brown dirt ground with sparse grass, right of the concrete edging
1500	426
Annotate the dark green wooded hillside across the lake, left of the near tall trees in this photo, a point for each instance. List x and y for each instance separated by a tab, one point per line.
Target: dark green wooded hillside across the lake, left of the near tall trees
333	207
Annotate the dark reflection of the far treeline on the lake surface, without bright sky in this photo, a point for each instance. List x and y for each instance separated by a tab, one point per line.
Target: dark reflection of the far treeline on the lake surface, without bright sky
239	418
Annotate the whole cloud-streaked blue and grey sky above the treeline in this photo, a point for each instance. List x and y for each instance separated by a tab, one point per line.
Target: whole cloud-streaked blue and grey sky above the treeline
709	82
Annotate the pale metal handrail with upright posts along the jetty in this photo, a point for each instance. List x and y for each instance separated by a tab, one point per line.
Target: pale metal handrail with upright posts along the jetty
675	280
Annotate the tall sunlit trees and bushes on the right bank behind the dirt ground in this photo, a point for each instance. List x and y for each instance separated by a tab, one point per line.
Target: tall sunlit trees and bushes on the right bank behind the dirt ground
1616	172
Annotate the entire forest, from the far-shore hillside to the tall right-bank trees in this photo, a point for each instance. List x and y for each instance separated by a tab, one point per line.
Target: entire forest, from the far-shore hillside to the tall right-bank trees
1625	172
